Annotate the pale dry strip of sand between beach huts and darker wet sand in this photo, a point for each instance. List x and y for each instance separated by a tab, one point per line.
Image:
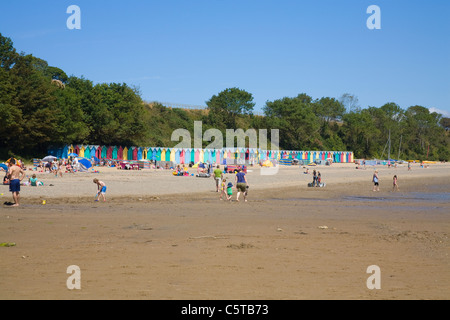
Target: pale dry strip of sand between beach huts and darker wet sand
154	185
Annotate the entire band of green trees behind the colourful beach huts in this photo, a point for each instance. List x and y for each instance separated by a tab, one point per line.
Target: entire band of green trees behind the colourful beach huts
41	106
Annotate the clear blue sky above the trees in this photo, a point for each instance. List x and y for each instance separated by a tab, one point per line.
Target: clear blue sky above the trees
187	51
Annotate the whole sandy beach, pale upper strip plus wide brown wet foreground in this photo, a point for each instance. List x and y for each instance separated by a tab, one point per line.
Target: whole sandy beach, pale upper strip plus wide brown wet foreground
162	237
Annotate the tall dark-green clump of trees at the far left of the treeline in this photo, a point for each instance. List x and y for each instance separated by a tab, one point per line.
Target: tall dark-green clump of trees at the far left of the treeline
40	105
